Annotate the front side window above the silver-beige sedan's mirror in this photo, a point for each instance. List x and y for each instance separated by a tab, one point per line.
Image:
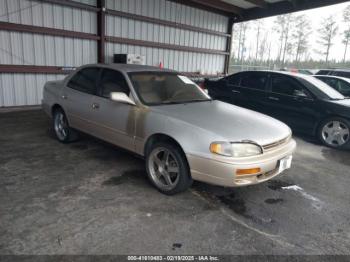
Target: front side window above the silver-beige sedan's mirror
112	81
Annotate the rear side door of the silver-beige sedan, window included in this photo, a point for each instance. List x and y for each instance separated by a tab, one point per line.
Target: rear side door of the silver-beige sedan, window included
77	98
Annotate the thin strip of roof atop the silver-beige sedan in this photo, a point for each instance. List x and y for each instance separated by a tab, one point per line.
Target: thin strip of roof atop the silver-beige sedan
127	68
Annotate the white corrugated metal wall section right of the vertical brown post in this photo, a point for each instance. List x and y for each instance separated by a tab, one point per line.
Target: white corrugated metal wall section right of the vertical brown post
170	11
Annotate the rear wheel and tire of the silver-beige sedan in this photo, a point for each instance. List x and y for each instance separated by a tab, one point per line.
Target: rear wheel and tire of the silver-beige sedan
64	133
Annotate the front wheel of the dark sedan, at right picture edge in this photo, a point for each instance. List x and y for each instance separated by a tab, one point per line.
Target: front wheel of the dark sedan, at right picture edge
335	133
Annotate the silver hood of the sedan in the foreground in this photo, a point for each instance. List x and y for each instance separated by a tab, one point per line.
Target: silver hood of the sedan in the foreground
227	121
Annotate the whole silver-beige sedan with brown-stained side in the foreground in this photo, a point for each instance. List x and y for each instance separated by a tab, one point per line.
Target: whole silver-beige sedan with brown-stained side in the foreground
178	128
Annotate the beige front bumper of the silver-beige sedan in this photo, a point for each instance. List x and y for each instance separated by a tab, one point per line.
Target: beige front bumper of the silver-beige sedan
222	170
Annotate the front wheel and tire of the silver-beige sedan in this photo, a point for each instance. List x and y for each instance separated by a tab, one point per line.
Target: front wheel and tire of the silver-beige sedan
167	168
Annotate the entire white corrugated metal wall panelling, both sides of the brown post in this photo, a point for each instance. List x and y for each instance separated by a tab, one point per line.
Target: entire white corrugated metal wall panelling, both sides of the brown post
19	48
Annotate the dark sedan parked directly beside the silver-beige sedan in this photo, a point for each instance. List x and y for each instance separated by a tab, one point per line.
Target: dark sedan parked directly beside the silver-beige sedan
305	103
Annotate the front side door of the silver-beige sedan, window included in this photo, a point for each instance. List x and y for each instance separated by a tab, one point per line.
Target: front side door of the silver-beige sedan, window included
114	121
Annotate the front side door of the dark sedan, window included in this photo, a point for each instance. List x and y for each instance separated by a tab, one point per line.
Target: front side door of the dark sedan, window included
288	100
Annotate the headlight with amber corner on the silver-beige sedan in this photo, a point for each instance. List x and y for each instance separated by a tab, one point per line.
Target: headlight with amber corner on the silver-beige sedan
235	149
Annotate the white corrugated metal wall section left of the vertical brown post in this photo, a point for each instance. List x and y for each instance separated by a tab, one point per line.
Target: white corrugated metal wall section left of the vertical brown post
34	49
